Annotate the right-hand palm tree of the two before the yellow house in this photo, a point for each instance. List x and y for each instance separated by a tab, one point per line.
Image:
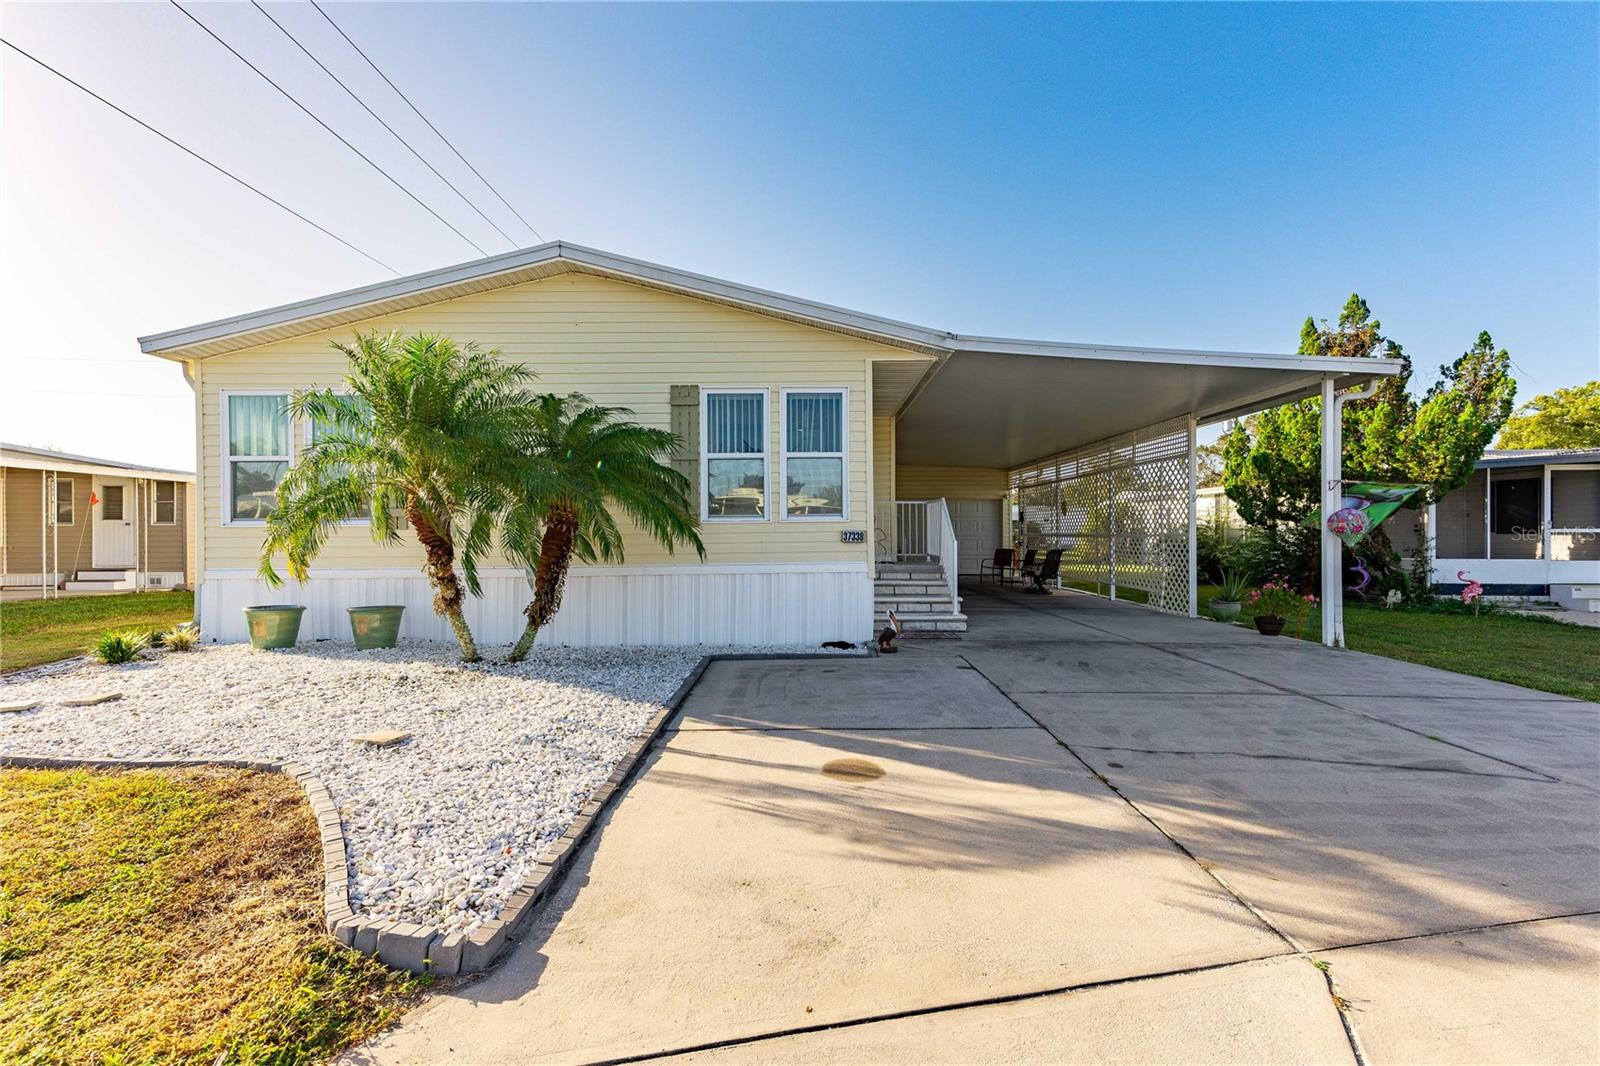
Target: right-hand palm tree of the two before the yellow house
577	462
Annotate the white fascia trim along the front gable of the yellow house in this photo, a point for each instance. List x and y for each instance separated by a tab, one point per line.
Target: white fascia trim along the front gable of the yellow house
524	258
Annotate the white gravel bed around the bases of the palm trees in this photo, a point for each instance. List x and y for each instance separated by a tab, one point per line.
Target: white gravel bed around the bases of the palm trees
442	828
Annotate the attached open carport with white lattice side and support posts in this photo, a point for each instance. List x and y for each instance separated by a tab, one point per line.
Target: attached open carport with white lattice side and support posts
1095	447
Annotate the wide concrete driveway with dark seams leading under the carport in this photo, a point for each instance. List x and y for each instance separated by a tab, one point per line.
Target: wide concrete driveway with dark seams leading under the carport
1084	833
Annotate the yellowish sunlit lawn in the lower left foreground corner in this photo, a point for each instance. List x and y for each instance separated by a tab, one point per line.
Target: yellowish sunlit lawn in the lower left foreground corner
172	916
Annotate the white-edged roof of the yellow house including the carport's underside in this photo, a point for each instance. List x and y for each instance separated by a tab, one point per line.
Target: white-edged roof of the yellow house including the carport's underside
980	401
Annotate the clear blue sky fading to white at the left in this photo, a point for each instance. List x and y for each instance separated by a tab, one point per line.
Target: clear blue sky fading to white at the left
1170	175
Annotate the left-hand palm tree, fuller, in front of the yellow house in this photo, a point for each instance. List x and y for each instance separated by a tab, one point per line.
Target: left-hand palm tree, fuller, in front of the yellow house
420	431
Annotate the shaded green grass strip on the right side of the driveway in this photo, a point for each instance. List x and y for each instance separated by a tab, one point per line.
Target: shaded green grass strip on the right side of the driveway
1532	652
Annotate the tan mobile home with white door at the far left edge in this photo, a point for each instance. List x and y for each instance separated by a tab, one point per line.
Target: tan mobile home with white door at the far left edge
74	524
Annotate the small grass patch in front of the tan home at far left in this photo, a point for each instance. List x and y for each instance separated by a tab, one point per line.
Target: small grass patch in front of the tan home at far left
44	631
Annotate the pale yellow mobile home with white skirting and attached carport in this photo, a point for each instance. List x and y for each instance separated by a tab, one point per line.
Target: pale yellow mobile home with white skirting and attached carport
825	444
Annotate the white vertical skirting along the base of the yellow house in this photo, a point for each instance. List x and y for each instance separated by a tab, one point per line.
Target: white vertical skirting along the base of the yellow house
602	606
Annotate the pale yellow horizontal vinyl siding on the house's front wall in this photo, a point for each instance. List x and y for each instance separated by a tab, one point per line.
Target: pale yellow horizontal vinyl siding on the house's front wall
617	343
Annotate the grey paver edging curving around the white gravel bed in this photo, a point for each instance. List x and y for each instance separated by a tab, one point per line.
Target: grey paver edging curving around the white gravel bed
426	948
